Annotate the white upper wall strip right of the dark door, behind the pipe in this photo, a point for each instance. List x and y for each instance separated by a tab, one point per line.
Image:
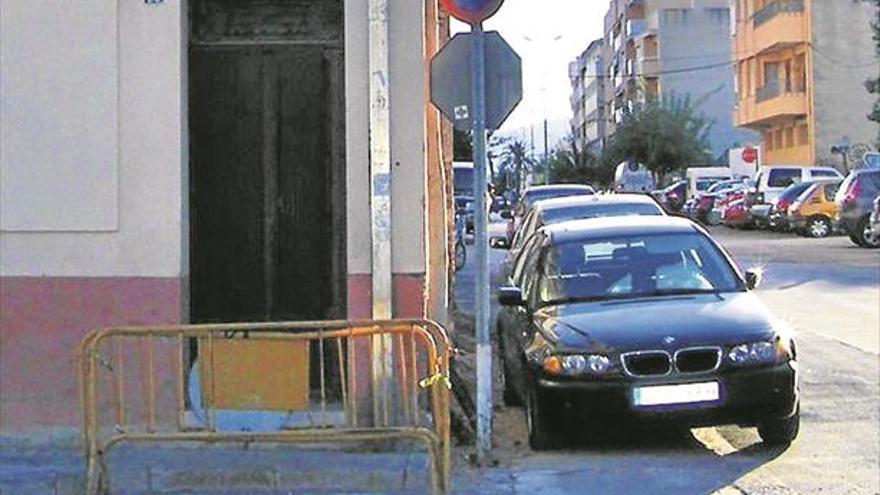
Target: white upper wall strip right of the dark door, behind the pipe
407	86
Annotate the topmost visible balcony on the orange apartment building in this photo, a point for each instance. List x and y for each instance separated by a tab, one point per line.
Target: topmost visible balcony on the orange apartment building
780	24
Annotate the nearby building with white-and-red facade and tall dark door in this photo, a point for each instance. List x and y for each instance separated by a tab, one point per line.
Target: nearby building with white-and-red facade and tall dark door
197	161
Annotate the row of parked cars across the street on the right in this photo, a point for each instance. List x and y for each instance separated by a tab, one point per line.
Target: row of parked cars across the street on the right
810	201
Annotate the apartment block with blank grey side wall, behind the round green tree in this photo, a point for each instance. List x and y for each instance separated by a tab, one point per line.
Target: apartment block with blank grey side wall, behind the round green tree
680	48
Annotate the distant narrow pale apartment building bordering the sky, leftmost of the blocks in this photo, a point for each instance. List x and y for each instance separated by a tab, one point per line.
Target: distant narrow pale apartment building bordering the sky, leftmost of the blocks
588	97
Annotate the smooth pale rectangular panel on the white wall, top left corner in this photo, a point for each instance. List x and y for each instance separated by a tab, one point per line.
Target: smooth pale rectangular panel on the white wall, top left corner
58	140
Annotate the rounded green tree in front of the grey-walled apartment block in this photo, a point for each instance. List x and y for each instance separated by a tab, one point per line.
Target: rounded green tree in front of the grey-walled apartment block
665	135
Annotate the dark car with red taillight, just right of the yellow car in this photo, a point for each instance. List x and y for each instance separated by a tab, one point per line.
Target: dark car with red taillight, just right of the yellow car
854	200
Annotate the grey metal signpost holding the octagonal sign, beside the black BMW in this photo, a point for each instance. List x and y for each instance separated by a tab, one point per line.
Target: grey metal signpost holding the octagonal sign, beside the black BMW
481	244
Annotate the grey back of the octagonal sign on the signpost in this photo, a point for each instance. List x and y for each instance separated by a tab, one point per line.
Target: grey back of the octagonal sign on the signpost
451	80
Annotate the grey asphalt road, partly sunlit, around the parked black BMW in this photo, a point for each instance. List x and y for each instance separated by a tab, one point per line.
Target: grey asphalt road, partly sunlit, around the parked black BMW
830	291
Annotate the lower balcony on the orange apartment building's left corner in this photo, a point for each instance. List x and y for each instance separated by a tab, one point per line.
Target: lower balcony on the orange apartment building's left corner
770	104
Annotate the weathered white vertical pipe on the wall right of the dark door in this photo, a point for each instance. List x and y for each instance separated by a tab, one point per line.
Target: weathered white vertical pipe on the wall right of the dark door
380	194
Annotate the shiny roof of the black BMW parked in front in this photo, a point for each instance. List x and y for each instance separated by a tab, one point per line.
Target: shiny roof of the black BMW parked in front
597	228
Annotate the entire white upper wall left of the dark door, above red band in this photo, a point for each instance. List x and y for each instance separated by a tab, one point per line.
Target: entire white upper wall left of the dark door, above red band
141	67
